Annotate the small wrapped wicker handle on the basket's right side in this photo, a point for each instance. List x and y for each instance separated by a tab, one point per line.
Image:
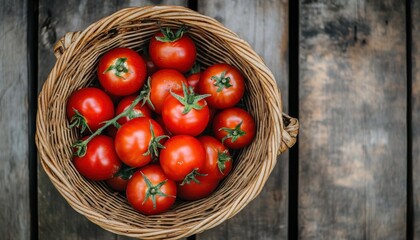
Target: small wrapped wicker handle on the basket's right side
289	132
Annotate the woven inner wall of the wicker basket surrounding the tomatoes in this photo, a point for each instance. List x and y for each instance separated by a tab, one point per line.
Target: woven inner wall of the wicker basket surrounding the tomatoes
100	203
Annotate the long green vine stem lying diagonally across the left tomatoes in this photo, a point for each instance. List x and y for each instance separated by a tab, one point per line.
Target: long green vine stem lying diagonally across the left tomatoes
80	146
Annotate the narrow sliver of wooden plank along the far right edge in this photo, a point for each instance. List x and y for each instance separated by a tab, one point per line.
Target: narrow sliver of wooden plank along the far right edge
415	24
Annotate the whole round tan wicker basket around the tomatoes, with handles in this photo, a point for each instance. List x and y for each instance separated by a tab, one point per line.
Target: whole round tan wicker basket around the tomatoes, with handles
78	55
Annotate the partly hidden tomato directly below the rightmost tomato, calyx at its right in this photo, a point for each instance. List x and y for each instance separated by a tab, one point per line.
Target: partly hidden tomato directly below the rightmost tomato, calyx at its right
218	160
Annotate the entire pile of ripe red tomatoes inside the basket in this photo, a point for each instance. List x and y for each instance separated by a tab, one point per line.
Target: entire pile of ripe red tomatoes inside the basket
169	136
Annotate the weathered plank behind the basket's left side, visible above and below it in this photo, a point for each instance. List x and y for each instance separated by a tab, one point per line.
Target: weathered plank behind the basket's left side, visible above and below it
57	220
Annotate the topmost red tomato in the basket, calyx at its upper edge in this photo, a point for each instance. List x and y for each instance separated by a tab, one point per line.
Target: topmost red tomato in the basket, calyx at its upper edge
174	51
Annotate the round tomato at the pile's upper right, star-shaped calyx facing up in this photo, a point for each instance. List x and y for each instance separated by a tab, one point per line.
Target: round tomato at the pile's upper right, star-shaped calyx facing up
225	84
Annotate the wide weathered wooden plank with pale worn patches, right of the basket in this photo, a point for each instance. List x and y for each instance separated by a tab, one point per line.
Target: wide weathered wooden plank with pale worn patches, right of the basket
352	170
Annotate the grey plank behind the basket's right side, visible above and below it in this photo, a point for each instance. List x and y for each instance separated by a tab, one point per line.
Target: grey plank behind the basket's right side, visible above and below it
264	25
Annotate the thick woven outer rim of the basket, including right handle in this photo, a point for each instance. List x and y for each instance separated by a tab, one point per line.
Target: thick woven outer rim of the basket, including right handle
286	134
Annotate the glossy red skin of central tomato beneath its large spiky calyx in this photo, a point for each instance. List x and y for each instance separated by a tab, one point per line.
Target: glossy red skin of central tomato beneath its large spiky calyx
192	123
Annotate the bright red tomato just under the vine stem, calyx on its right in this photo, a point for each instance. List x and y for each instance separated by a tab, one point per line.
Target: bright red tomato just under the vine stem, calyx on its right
137	142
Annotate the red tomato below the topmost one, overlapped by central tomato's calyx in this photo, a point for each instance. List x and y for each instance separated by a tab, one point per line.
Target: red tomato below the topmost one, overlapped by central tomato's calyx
161	83
